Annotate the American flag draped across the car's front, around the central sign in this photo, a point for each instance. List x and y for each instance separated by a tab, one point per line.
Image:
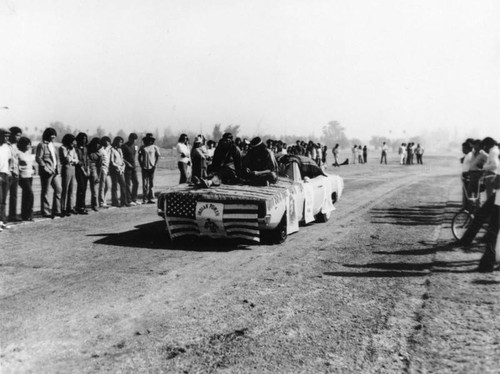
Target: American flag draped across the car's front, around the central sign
240	220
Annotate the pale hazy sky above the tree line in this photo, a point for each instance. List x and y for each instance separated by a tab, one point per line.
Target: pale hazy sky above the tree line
280	67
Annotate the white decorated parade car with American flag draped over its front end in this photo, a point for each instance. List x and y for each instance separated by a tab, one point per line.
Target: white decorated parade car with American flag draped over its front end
303	194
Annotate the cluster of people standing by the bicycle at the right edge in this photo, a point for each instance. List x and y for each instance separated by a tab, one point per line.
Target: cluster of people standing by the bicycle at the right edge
481	167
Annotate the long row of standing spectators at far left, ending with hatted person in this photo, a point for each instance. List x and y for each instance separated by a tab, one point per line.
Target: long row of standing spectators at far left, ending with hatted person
99	166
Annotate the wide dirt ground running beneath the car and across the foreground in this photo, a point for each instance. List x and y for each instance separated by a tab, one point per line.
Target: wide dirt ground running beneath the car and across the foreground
370	291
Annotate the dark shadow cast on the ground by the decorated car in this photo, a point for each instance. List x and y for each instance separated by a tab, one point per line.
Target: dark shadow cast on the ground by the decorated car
153	236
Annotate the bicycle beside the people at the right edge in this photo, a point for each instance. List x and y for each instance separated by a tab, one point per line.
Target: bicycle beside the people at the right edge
464	217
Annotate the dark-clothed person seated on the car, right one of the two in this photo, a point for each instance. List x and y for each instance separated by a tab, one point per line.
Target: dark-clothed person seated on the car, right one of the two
259	165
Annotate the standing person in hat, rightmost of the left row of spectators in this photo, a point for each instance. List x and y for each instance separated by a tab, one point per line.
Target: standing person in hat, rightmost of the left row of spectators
149	155
